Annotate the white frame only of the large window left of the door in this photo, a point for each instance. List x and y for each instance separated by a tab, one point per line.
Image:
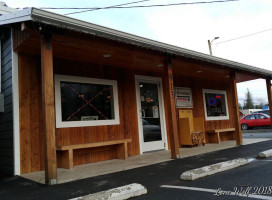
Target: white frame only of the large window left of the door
77	79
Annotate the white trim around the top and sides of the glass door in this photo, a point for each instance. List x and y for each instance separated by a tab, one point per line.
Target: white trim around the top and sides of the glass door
150	79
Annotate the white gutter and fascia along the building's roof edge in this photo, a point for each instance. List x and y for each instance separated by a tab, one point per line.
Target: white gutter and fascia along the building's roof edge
66	22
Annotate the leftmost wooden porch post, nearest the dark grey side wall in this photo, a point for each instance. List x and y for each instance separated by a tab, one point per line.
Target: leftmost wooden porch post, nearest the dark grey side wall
48	104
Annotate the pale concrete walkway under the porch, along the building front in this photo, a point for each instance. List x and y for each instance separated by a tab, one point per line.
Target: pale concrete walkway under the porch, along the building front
111	166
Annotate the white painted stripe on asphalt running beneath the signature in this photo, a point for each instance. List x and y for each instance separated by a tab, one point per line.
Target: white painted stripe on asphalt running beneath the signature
217	192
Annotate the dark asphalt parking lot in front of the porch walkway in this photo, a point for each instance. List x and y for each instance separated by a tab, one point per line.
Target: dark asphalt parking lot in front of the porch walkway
256	174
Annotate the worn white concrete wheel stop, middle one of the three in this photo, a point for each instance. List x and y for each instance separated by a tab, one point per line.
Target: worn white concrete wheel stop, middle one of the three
212	169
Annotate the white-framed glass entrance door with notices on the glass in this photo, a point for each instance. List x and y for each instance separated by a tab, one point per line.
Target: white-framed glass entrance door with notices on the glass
151	121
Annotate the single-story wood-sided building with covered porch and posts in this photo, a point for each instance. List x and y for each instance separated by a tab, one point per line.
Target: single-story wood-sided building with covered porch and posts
75	93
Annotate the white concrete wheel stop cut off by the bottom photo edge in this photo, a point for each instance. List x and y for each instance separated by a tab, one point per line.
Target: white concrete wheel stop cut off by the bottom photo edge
120	193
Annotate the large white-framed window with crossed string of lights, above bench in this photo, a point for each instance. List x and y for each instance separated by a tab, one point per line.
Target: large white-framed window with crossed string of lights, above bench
85	101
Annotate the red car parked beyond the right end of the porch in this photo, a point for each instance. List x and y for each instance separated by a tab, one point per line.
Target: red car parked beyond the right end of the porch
254	120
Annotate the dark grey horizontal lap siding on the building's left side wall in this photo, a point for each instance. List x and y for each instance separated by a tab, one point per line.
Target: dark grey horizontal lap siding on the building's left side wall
6	118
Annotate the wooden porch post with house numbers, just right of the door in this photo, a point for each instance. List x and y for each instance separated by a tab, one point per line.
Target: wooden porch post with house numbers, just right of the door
172	118
